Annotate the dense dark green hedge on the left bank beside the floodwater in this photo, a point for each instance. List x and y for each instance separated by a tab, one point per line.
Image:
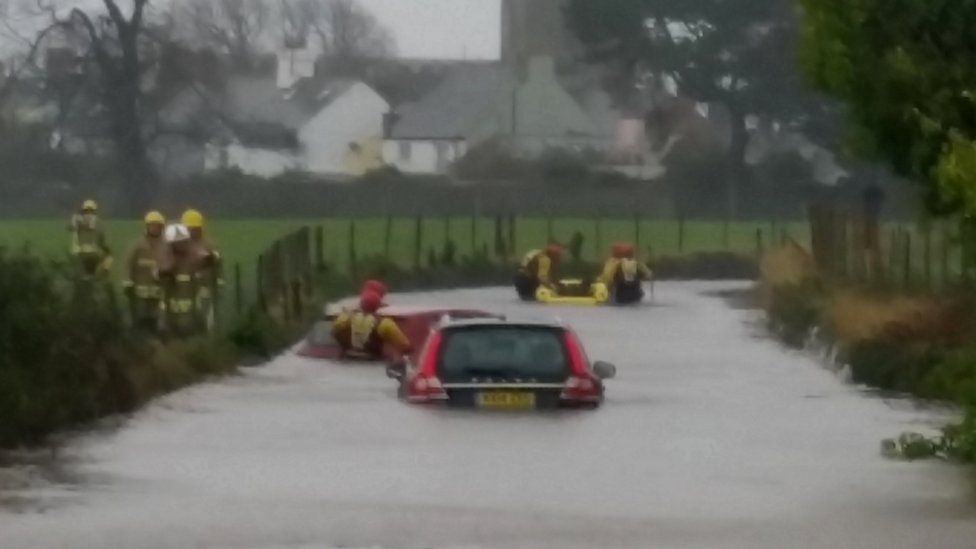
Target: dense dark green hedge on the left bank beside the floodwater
66	358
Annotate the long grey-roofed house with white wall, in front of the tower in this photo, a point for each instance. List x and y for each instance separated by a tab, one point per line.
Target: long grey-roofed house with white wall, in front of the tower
530	113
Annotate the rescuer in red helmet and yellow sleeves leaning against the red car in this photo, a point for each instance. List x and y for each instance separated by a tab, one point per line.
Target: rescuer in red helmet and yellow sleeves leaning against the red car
363	333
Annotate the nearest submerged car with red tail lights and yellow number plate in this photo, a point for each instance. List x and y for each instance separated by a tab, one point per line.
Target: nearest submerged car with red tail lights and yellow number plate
504	365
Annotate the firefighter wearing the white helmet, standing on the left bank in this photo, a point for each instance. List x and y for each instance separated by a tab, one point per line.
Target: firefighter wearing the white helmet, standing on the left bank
180	285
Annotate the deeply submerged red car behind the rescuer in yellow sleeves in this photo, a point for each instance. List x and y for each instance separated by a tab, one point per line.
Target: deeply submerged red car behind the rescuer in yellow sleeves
415	322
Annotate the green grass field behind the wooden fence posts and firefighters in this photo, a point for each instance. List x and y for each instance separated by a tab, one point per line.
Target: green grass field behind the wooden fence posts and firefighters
241	241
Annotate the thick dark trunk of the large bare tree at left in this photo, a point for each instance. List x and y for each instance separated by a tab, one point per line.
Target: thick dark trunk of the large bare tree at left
117	53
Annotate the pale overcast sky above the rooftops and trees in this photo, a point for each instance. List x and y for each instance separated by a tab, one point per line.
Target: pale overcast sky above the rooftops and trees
422	28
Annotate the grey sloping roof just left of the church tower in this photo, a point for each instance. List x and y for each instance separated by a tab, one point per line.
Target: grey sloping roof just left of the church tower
456	105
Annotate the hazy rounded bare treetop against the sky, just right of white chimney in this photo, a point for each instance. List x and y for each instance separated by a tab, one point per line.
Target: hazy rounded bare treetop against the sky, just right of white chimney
345	30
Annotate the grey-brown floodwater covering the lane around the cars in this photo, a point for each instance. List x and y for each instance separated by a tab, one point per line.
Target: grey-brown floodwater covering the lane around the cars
711	436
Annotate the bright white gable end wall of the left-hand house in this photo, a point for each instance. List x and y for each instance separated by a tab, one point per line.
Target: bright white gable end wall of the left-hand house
356	117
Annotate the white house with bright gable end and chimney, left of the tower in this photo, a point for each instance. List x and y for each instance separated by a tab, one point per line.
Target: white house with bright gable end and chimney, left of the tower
328	127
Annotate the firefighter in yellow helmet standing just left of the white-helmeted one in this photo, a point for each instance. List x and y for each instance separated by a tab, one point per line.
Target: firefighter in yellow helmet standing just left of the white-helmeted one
142	274
